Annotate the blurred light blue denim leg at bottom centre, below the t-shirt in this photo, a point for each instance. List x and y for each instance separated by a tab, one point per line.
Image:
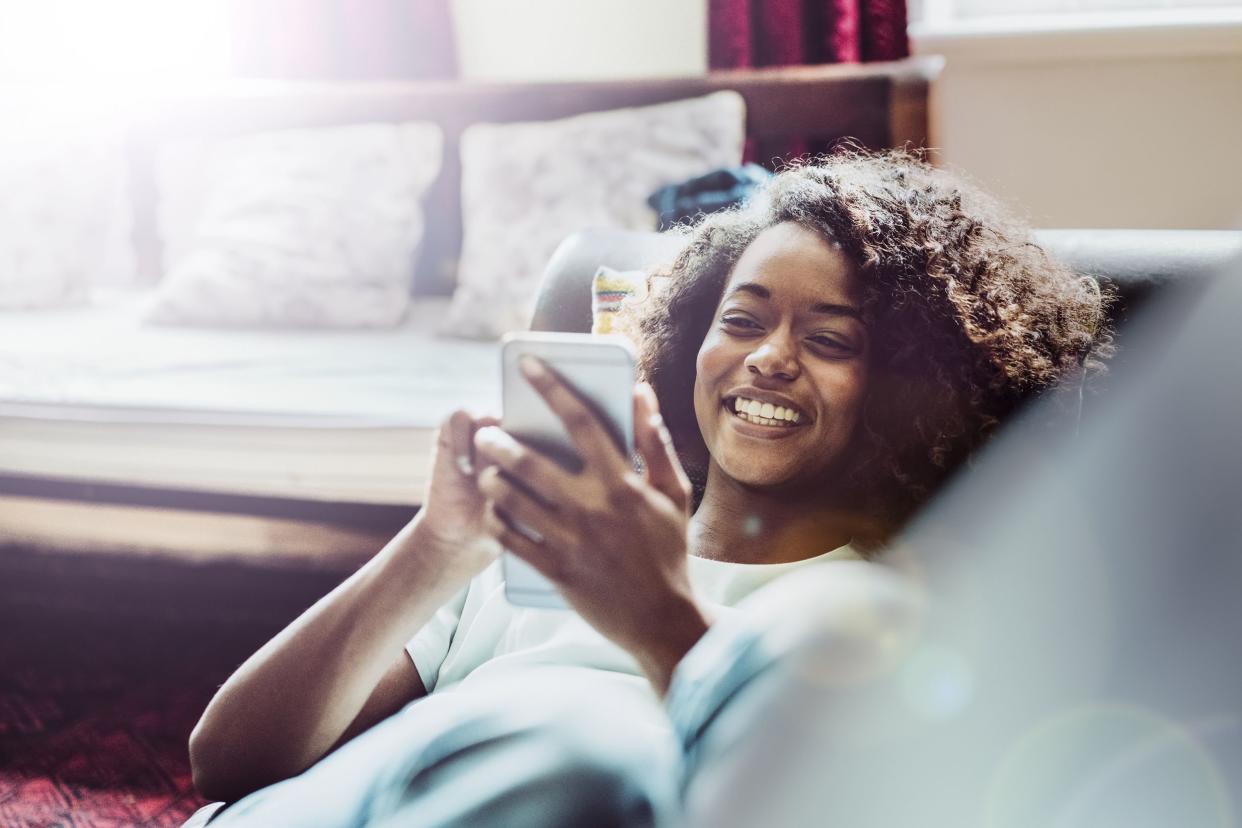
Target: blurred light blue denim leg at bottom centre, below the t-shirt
555	749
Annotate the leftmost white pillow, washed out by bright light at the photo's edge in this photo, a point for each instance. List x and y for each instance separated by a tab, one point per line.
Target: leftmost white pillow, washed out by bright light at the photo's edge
64	218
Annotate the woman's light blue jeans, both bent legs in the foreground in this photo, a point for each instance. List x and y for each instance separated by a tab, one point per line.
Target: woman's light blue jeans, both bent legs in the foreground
560	748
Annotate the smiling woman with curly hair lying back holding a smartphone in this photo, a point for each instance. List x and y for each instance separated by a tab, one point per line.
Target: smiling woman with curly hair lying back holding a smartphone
825	358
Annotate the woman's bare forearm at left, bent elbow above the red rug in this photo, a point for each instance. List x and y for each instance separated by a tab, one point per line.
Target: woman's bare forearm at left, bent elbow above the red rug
291	702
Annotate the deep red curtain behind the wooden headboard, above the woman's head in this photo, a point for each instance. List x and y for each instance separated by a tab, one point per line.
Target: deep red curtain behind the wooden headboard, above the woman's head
791	33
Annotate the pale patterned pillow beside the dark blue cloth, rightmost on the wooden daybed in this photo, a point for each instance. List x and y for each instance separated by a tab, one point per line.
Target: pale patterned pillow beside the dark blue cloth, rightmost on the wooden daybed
526	187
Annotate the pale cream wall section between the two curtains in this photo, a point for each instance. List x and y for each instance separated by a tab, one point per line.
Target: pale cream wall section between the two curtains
564	40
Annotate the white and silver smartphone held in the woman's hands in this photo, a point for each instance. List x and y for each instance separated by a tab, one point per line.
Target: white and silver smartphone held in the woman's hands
602	372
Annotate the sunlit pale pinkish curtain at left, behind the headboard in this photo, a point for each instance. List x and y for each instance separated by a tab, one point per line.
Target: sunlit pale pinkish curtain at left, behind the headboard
342	40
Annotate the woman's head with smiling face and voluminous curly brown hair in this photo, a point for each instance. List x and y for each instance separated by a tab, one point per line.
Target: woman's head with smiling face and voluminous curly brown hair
897	311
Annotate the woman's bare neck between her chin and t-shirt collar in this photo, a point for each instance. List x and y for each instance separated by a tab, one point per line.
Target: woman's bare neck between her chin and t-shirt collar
746	526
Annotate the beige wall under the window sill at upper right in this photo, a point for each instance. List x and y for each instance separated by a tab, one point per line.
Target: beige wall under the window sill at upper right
1101	128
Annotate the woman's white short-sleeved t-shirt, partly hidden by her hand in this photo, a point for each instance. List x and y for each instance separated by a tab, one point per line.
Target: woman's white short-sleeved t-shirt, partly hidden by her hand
481	637
